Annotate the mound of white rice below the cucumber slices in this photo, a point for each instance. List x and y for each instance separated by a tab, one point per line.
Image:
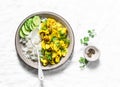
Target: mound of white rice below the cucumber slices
28	48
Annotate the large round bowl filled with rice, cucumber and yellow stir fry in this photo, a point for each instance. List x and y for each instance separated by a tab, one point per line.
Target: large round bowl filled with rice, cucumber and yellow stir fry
56	40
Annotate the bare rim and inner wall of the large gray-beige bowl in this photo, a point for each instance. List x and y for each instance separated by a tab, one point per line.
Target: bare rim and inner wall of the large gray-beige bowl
70	35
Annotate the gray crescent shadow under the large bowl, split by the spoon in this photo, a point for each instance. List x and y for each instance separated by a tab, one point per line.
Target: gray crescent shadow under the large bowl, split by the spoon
34	71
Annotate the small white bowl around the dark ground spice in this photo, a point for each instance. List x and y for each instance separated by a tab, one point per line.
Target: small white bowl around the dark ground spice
95	56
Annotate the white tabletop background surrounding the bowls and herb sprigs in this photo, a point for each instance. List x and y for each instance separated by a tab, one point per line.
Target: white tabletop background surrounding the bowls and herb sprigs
102	15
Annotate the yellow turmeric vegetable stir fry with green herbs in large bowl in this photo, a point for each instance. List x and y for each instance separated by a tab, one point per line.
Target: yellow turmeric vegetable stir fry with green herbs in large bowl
54	41
